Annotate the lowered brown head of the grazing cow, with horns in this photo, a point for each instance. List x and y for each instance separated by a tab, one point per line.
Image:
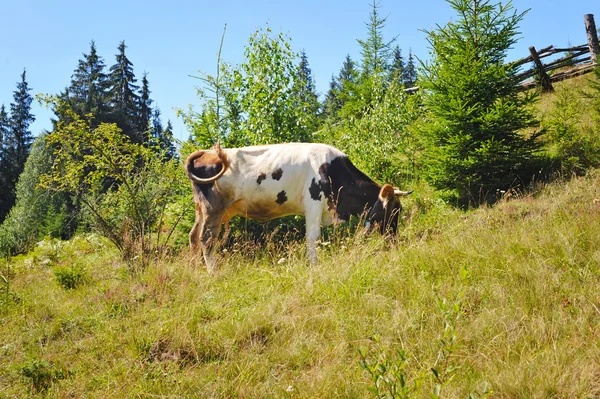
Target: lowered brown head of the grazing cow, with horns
386	210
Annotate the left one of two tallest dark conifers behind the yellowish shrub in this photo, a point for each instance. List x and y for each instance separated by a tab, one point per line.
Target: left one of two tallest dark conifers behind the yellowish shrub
89	85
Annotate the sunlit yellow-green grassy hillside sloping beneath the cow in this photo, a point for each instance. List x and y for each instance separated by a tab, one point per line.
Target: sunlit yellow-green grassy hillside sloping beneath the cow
501	301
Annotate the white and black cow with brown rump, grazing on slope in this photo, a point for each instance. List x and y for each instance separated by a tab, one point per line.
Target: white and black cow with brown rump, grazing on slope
270	181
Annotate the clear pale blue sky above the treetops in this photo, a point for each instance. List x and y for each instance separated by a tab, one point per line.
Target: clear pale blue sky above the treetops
173	40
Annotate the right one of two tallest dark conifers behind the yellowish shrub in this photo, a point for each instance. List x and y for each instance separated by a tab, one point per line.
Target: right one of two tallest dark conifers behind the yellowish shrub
123	96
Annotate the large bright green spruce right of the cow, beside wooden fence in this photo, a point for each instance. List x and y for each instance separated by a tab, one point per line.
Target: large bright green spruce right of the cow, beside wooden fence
476	112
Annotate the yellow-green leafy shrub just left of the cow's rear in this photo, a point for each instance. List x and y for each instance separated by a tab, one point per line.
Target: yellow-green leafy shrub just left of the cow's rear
126	188
